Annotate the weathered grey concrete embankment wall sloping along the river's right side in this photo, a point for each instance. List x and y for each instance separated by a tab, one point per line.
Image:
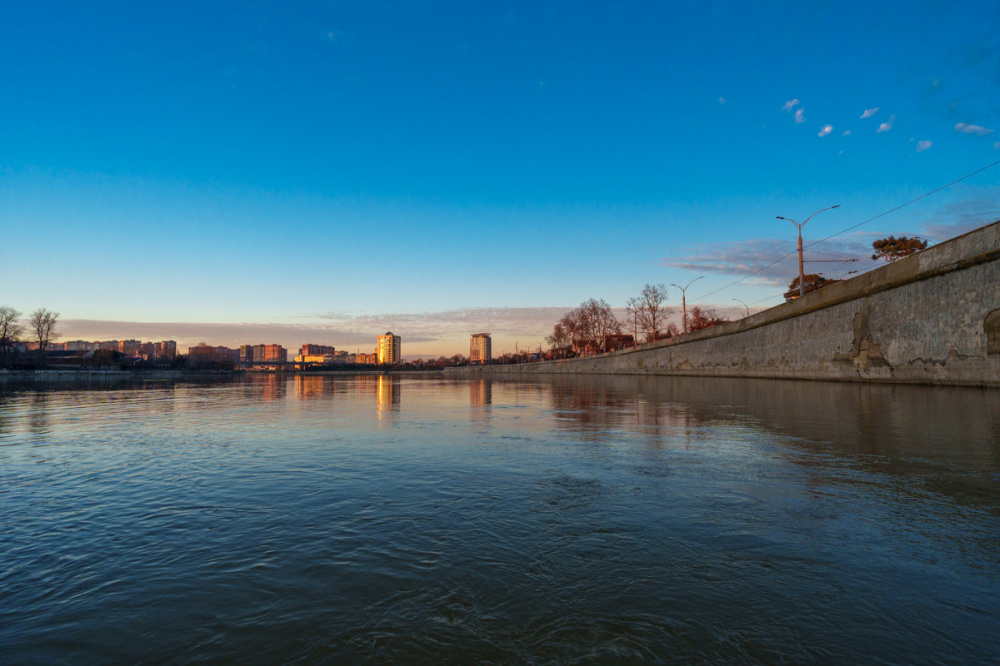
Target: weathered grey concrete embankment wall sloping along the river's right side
932	318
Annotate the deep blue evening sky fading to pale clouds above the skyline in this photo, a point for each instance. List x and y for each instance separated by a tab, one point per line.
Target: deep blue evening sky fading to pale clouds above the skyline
245	173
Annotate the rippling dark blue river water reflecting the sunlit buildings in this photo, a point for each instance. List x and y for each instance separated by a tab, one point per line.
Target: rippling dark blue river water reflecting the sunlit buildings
426	520
